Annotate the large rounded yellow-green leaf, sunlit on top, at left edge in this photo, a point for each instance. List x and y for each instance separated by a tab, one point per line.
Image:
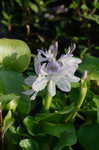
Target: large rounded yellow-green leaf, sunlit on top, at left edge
14	54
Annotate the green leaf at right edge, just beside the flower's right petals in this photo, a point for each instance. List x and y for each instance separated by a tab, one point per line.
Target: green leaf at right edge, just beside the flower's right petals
91	64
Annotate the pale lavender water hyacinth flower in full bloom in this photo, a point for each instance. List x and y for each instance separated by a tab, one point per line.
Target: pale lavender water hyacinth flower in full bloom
53	73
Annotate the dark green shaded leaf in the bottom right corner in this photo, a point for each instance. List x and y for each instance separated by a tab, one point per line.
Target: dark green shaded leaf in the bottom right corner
89	137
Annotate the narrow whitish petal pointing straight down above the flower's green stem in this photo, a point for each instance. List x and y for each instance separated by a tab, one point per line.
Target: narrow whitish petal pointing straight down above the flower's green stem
52	88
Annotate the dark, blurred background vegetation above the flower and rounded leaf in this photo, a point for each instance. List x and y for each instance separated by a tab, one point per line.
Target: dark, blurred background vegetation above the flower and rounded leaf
39	22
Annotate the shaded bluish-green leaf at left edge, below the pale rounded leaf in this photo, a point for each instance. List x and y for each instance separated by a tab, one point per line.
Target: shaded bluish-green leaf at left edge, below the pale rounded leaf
11	82
